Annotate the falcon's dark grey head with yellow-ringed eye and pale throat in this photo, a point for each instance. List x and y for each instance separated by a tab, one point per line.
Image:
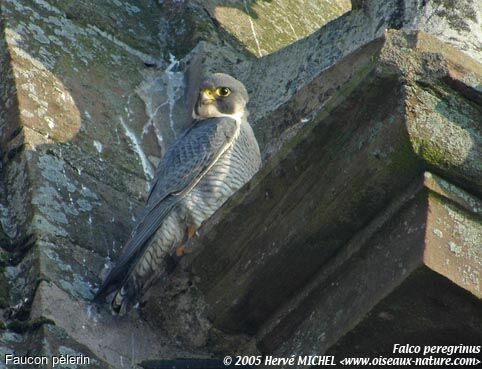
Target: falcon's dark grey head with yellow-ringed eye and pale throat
220	95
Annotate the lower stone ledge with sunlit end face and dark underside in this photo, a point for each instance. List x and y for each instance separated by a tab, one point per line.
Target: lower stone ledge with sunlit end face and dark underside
393	258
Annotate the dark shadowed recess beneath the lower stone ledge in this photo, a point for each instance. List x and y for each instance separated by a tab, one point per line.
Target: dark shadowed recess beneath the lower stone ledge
415	313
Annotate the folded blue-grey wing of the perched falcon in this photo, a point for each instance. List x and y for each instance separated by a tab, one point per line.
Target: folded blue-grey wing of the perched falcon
183	165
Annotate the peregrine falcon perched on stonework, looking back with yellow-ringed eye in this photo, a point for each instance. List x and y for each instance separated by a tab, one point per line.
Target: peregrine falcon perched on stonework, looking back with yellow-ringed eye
211	160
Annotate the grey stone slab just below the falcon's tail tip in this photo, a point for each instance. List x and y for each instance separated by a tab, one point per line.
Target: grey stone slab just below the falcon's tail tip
117	340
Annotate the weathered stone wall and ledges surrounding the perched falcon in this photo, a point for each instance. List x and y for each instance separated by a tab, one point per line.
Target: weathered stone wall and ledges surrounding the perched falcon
349	119
